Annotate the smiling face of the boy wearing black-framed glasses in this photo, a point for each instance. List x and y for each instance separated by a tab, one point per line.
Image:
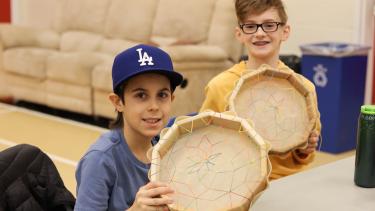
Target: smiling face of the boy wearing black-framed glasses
261	46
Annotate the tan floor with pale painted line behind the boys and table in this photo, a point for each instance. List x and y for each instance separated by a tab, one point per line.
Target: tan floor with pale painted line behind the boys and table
65	141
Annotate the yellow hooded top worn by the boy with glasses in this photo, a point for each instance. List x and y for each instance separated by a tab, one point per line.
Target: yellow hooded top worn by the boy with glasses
217	95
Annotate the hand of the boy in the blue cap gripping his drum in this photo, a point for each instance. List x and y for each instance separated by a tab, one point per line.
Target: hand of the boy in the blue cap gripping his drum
148	197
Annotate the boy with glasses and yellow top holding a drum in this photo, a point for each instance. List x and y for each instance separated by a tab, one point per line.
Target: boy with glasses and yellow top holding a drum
262	28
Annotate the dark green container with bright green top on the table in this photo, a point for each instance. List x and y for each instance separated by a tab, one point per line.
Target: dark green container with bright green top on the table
364	174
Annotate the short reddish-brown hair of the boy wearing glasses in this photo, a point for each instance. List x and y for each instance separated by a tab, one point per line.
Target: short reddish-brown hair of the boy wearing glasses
245	8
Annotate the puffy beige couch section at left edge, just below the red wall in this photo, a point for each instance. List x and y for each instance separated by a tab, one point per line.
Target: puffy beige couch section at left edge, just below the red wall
13	36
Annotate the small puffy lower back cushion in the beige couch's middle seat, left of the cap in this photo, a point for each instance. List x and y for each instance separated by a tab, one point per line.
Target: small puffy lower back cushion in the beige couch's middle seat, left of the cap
80	41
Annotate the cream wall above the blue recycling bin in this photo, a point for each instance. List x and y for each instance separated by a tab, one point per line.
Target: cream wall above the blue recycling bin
320	21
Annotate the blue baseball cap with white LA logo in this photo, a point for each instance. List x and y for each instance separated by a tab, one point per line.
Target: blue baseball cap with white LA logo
143	59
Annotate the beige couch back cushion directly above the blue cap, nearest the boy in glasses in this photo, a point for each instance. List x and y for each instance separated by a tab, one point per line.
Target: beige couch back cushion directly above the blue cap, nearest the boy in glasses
187	20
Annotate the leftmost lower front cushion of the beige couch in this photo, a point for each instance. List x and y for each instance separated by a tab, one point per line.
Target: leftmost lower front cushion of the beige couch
29	62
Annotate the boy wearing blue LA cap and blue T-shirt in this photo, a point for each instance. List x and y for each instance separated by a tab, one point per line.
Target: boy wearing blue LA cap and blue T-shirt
112	175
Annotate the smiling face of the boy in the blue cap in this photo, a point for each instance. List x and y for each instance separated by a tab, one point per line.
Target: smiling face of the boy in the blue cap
146	107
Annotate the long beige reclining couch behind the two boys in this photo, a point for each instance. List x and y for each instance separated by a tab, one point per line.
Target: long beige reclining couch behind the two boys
66	62
